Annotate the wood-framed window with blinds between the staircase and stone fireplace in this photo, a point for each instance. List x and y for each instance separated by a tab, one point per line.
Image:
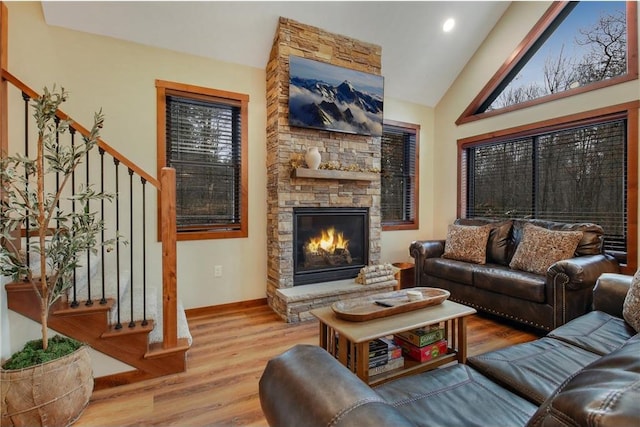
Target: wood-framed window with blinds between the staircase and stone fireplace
204	140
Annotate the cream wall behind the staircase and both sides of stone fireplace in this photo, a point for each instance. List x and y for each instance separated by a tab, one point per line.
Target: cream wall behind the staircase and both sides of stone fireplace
119	77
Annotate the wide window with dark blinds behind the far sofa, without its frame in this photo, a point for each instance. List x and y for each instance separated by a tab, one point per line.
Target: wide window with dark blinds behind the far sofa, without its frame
575	174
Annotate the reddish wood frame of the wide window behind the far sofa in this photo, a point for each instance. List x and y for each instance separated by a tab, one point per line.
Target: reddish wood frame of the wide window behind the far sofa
629	110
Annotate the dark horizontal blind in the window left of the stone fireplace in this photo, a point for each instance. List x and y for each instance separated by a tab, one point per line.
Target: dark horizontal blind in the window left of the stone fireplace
203	145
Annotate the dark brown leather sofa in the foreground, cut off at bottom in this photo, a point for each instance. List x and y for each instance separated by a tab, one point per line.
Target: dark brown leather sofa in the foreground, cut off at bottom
586	372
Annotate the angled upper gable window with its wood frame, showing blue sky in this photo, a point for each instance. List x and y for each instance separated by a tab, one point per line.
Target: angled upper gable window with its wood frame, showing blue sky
575	47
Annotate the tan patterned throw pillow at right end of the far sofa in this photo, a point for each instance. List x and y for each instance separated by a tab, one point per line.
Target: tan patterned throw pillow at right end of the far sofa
540	248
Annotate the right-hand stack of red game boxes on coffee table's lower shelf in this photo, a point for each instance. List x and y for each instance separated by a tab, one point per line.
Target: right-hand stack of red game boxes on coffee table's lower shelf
422	344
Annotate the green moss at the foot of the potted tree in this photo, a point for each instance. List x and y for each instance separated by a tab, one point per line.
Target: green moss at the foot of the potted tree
32	354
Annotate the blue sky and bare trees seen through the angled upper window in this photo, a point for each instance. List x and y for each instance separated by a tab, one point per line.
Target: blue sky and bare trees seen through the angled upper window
587	44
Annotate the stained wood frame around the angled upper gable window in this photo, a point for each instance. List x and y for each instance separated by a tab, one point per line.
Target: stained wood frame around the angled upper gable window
470	115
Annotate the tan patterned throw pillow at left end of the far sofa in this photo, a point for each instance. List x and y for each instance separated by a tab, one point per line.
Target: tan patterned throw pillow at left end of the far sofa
467	243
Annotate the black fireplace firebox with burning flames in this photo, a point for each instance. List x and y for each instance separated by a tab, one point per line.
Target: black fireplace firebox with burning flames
329	243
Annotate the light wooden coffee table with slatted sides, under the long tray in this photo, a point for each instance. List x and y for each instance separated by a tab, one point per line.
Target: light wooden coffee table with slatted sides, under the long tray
353	337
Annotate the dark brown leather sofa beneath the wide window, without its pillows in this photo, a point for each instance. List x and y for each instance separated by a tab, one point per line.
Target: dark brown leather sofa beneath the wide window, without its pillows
544	302
